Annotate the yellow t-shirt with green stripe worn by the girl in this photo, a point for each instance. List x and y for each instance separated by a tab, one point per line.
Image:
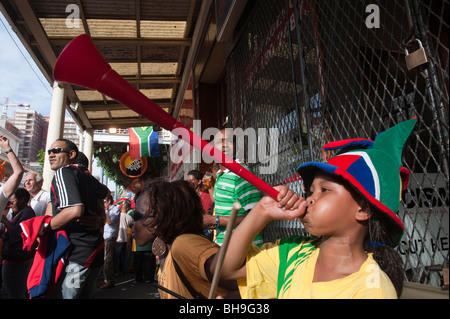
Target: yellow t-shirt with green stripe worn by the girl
267	278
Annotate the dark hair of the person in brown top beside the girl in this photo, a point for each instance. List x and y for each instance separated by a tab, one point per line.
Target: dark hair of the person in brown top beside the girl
176	208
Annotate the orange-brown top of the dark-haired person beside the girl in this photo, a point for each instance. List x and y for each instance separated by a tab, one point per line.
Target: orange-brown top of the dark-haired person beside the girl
191	252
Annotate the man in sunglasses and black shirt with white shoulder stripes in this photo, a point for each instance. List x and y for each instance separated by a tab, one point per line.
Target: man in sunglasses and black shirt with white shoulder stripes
75	194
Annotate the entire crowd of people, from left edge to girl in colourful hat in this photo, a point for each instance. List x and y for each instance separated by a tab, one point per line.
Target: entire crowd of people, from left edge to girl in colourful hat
350	211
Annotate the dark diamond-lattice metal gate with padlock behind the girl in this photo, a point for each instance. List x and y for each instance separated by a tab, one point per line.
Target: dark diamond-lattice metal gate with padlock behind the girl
320	71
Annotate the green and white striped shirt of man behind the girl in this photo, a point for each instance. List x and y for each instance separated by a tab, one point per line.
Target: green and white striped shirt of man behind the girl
229	188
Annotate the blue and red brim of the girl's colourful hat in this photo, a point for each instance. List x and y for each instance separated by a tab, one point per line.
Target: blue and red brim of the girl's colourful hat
307	172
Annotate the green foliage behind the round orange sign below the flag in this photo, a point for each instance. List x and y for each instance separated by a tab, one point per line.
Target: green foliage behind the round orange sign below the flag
109	159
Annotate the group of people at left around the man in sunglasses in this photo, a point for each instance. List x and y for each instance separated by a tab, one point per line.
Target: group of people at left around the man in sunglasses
79	209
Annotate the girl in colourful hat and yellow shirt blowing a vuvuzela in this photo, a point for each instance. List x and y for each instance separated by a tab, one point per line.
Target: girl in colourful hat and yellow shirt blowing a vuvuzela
351	210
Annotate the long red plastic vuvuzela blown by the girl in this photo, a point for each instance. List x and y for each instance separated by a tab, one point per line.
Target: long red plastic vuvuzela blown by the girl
80	63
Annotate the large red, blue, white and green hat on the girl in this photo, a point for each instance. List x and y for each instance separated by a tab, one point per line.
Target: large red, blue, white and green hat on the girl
373	168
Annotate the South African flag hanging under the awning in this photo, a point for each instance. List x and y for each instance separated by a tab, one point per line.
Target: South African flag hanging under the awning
143	142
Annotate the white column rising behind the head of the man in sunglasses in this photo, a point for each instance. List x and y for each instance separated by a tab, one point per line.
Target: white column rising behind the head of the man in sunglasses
55	129
